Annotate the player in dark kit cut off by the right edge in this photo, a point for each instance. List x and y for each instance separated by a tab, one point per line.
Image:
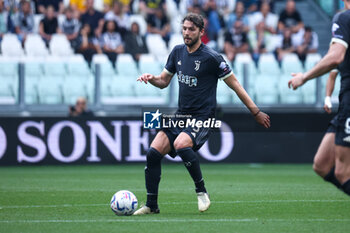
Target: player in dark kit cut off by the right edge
332	160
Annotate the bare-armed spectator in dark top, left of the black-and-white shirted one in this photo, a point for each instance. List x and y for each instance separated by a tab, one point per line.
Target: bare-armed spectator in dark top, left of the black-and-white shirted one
88	45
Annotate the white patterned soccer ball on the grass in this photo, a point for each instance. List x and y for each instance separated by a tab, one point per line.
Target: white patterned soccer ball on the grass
124	202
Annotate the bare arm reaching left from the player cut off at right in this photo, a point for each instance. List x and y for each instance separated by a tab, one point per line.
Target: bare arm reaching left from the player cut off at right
333	58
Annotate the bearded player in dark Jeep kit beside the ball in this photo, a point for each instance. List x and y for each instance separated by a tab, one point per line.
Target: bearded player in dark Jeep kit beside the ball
198	69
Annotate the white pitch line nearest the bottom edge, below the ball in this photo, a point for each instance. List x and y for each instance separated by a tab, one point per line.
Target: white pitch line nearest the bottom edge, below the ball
170	220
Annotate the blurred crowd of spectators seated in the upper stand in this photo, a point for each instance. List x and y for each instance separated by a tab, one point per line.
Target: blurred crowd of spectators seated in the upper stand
231	27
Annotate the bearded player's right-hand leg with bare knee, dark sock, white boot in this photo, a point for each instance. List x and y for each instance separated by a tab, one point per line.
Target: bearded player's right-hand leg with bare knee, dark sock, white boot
183	145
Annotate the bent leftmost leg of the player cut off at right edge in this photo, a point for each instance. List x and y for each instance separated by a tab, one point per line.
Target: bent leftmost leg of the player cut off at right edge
324	160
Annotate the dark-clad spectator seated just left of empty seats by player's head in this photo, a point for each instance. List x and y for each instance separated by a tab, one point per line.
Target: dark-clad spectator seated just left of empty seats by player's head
135	44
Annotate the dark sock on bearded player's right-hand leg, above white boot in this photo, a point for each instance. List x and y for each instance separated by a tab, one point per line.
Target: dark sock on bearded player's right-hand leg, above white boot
191	162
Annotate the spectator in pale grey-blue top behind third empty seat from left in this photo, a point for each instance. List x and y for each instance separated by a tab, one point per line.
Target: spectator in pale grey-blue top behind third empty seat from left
70	27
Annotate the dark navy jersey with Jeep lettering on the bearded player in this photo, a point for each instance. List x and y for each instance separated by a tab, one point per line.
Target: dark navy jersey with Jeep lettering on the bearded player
197	74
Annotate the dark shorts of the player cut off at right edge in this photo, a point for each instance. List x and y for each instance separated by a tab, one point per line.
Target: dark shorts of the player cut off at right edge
340	124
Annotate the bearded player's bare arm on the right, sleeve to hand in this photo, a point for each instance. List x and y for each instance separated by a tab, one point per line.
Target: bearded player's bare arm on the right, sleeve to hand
260	117
